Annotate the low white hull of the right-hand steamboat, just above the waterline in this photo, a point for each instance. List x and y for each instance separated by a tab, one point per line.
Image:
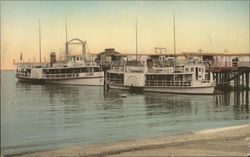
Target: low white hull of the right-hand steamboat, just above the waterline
179	90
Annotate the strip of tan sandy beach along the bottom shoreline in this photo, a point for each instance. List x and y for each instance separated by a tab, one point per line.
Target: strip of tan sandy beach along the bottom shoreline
228	141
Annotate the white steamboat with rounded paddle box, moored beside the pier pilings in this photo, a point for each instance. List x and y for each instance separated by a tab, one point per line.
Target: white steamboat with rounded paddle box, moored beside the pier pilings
185	77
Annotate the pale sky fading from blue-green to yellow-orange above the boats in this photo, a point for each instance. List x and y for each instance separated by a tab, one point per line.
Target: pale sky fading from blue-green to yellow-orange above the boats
210	25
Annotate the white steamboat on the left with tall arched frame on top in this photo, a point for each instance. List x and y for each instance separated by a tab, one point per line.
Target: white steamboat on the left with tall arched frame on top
74	69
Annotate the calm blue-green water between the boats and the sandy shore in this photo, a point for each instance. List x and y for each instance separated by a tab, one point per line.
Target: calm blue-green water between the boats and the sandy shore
42	117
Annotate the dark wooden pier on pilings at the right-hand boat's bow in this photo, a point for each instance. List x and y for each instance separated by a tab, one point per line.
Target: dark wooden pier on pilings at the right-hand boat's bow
236	76
